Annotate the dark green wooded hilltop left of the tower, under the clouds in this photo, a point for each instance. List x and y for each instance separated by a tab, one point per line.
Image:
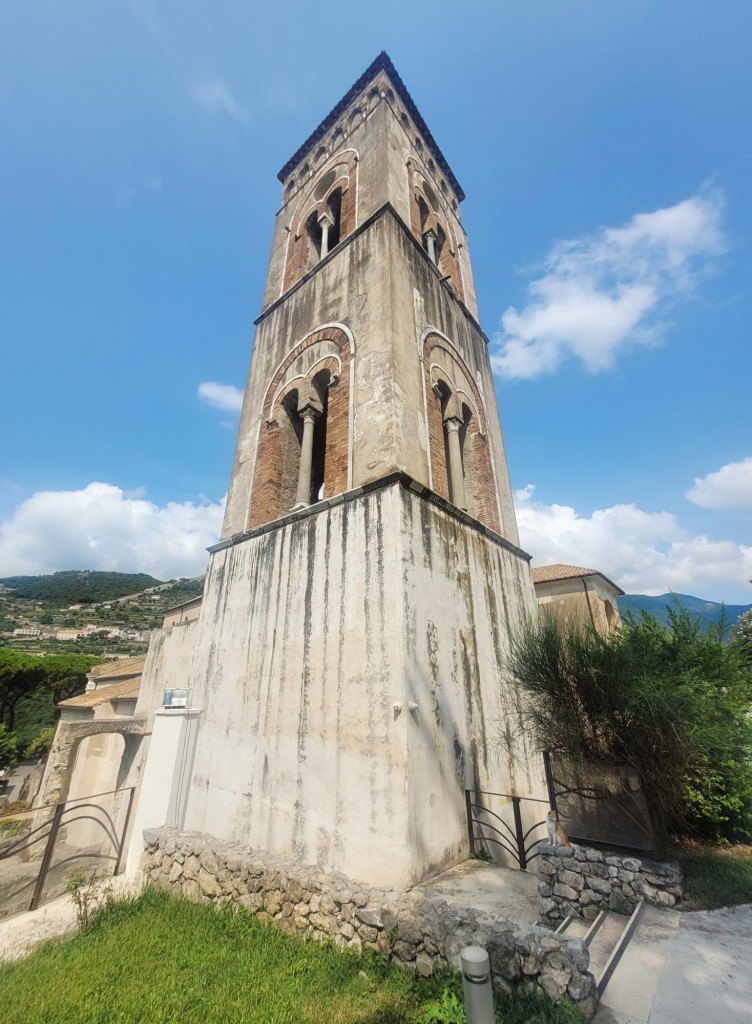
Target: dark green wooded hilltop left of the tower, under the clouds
77	587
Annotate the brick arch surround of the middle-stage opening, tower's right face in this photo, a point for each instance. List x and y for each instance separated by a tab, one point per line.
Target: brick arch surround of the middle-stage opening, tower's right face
480	479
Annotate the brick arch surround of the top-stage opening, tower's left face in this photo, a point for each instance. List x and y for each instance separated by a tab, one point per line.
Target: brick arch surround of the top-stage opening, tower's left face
300	261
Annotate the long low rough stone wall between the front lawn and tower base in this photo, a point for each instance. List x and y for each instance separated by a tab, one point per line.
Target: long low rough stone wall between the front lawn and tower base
420	934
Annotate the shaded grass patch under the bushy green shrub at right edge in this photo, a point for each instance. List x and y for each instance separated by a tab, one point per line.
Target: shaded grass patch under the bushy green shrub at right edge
716	876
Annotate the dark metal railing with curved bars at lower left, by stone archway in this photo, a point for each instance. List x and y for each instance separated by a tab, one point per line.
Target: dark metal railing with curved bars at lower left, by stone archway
96	829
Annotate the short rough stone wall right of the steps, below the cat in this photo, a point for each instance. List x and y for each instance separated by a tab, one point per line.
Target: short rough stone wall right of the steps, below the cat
582	881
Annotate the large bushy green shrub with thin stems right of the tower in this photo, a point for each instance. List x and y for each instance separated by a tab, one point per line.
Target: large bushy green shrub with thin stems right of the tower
675	704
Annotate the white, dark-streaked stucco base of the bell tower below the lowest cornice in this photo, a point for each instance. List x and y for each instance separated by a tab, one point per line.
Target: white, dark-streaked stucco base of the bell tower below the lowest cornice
315	639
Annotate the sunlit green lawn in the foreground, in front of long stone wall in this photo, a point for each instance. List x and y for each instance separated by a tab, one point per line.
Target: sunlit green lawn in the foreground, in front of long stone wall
161	961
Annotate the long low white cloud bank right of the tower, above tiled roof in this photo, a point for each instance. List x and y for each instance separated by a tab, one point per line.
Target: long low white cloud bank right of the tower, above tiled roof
644	552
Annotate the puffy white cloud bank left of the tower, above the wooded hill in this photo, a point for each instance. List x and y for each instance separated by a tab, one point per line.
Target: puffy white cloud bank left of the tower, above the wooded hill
101	528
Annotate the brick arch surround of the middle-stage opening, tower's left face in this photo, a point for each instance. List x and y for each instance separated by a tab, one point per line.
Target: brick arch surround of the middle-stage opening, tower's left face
278	455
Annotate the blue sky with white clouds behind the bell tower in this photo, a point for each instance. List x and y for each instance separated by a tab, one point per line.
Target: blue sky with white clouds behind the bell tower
607	156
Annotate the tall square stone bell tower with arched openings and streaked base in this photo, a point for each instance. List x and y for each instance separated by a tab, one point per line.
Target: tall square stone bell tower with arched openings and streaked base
348	665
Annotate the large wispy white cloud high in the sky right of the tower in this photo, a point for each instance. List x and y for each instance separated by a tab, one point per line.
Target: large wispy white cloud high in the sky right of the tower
604	291
